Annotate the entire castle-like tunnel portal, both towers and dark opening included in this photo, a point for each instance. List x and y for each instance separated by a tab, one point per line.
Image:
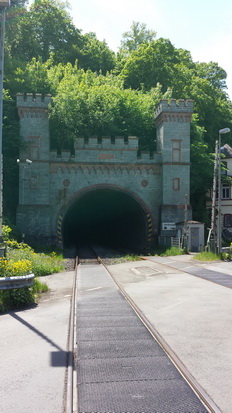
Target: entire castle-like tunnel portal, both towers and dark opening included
103	190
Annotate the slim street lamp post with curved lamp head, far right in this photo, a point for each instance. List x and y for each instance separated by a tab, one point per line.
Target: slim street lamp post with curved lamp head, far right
219	224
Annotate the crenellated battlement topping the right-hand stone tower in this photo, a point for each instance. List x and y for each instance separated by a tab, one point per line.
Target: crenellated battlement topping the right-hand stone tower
174	106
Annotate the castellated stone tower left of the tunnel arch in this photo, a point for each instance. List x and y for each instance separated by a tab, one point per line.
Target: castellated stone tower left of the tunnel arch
33	215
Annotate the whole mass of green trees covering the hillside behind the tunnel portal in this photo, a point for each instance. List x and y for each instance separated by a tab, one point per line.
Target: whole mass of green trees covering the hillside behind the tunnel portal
98	92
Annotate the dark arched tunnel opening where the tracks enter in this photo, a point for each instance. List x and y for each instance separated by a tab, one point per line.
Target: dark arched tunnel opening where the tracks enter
107	217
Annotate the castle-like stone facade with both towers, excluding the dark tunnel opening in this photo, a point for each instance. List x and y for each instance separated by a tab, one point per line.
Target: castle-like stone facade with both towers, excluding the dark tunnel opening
50	185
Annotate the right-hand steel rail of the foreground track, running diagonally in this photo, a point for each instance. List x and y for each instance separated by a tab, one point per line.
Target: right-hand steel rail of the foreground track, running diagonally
196	387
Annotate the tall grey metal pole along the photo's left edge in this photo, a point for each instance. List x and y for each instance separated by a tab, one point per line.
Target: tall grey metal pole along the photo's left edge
3	5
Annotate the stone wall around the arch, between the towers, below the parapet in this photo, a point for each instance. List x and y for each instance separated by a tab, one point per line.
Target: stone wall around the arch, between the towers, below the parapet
141	184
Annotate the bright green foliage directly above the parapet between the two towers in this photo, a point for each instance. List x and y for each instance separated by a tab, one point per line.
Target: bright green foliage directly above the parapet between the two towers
88	104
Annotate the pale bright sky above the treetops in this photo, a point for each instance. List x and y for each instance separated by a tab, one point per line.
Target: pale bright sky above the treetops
201	26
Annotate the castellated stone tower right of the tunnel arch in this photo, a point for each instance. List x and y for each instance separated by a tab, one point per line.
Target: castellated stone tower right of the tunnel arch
173	142
